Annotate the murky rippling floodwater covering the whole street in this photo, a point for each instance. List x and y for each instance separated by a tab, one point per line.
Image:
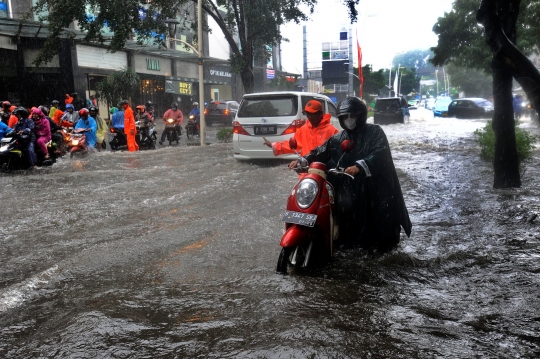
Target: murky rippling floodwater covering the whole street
171	254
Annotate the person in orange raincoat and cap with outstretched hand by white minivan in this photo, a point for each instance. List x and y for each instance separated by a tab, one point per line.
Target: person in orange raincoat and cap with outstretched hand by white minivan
311	135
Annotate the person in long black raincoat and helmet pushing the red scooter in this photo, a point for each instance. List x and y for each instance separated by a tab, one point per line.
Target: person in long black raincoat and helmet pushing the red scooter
370	209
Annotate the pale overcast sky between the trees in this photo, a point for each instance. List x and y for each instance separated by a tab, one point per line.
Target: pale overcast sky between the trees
385	28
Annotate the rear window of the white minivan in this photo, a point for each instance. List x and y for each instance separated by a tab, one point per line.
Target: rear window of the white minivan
268	106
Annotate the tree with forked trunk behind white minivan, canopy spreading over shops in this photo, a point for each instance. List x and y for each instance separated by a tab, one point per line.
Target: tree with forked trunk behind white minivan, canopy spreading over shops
255	23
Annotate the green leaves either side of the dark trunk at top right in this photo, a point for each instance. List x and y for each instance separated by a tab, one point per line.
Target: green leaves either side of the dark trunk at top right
462	40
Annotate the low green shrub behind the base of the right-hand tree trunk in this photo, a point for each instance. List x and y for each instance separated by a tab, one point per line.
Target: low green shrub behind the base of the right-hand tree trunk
486	140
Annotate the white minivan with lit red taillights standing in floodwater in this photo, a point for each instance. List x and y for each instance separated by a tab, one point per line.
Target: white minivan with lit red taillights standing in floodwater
274	115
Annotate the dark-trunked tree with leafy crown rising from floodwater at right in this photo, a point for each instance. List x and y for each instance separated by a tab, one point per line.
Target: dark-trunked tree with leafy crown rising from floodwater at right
460	42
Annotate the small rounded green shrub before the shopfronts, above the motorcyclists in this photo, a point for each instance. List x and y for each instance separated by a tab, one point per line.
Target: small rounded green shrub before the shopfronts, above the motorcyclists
119	85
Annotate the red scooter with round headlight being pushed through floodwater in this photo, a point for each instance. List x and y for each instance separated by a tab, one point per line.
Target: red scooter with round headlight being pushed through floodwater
310	225
